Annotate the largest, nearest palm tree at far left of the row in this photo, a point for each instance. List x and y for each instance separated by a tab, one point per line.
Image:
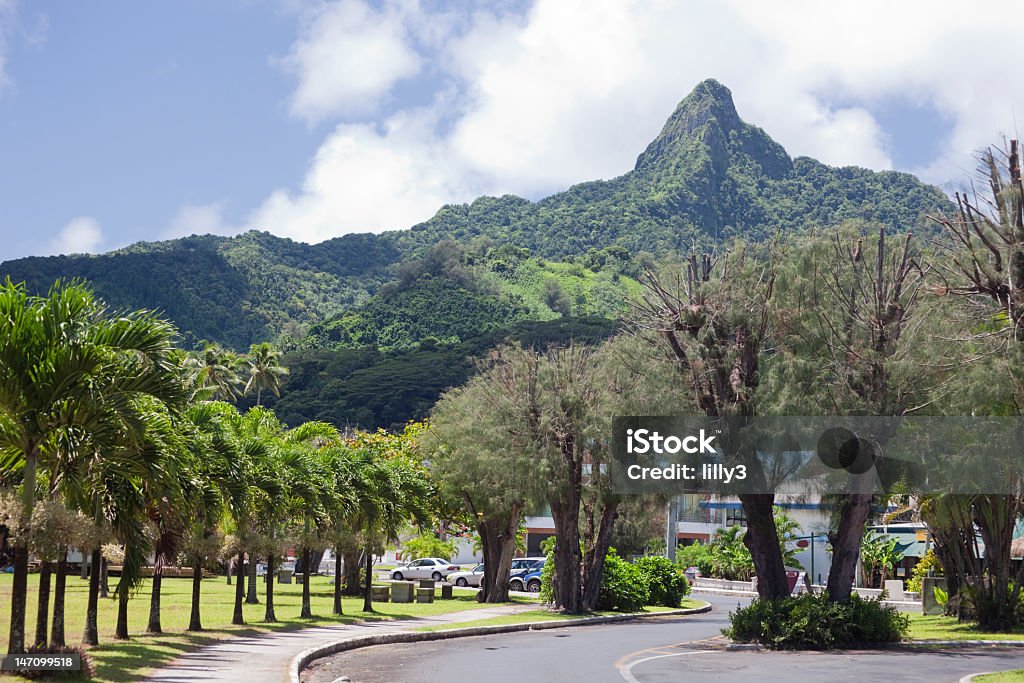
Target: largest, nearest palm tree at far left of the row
71	375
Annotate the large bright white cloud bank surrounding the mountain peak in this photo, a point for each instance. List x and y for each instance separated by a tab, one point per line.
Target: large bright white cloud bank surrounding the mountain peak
573	91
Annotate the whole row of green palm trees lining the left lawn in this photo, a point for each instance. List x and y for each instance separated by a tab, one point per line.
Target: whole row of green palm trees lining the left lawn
110	434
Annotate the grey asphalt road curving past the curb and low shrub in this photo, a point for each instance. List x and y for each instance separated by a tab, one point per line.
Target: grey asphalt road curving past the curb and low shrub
669	649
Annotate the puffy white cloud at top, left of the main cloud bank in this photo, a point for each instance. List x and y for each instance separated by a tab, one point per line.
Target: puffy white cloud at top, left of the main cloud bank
348	58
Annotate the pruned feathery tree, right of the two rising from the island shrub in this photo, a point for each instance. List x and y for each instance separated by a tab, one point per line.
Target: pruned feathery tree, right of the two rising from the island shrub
846	313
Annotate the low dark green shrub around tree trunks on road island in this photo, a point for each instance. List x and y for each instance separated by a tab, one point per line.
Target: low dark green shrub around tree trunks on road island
810	622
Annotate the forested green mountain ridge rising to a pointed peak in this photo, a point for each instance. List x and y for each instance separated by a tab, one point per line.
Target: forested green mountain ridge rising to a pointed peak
708	177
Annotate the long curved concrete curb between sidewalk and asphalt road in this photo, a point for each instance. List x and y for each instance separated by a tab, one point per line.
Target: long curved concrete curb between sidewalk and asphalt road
305	658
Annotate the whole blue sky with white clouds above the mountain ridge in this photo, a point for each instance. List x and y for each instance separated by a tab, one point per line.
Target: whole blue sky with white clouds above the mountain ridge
127	121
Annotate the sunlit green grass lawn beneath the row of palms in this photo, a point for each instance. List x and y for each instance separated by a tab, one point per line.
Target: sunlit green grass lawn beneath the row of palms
130	661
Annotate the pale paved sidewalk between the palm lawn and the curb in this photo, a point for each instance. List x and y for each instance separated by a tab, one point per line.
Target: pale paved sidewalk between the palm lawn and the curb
267	657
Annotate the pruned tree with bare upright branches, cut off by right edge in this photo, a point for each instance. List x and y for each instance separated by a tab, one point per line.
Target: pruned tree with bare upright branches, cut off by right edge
984	266
